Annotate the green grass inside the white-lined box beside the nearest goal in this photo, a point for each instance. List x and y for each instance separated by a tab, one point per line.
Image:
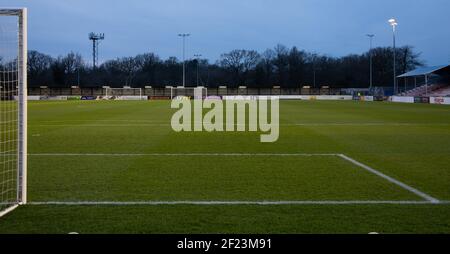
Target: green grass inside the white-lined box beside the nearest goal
207	178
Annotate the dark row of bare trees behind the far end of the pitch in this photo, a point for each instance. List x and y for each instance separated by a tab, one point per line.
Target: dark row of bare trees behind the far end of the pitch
279	66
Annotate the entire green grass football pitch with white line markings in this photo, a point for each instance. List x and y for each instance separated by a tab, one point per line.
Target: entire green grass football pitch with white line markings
338	167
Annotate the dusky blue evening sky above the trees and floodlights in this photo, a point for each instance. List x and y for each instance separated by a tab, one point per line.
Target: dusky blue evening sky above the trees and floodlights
331	27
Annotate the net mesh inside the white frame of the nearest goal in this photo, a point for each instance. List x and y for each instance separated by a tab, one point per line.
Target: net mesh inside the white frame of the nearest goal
9	82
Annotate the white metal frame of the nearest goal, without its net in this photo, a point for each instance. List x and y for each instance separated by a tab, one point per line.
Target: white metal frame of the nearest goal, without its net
21	13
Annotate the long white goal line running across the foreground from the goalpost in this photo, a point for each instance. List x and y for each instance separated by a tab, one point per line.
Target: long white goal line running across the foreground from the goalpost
231	203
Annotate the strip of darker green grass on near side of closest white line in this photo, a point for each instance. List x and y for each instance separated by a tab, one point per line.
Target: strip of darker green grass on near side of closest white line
228	219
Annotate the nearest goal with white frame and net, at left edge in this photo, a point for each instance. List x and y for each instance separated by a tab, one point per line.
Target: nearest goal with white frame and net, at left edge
13	104
